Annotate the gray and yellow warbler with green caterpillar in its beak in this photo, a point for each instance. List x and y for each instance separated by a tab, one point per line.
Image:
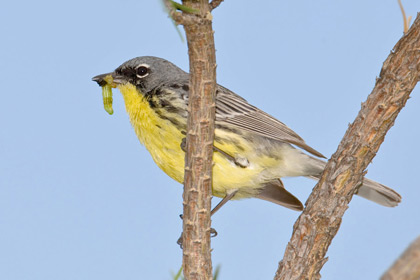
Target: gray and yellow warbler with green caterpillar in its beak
252	149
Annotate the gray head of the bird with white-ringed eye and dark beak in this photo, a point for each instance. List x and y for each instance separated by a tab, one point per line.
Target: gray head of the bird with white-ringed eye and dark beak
145	72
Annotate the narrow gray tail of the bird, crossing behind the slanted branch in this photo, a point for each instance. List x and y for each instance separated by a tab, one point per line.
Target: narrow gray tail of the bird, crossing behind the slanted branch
370	190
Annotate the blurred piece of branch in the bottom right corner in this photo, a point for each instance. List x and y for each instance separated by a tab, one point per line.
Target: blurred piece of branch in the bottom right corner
407	267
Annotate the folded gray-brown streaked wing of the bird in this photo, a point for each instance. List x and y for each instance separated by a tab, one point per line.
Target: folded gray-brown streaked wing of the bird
235	111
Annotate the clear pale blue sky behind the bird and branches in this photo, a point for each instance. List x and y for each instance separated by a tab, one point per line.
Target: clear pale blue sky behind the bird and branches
80	198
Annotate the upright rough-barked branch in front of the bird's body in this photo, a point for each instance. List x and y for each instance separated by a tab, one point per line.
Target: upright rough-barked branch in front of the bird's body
200	135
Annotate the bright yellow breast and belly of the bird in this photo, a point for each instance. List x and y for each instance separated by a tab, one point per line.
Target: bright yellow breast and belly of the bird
163	140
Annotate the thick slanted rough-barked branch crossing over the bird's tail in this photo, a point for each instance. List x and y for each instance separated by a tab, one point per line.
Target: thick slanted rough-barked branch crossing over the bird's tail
320	221
